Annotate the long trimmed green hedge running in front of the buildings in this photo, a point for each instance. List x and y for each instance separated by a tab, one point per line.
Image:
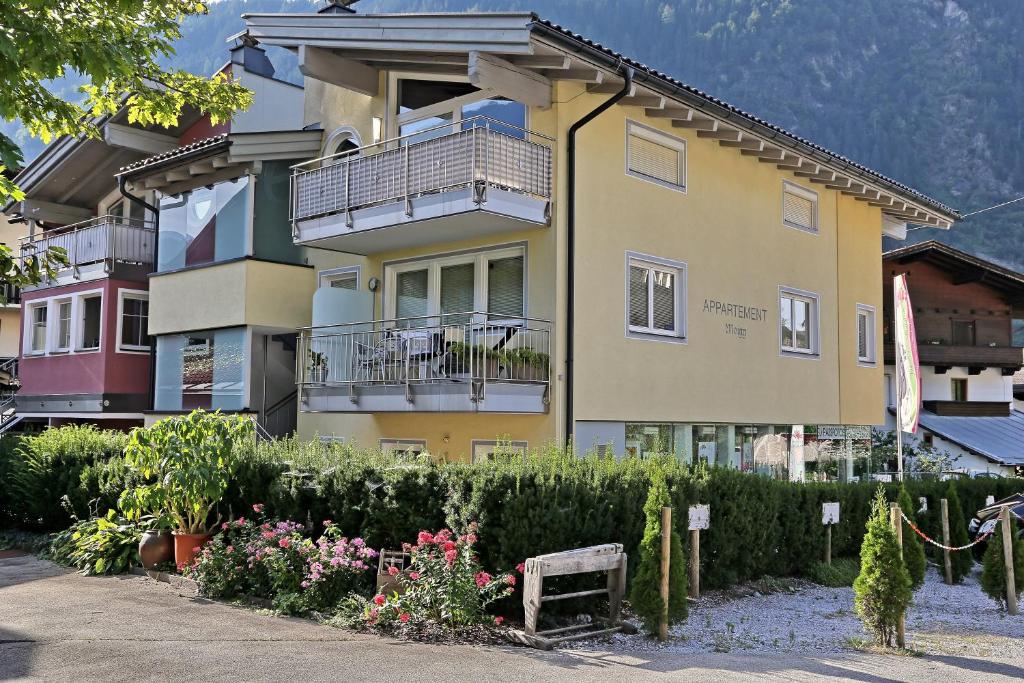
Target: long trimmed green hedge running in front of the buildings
547	503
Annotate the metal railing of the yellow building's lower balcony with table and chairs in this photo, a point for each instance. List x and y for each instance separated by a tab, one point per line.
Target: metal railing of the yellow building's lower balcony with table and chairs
475	349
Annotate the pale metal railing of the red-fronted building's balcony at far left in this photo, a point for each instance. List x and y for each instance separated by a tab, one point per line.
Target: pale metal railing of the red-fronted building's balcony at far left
107	240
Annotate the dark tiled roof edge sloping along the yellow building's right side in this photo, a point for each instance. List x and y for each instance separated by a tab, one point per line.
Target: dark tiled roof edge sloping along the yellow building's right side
701	96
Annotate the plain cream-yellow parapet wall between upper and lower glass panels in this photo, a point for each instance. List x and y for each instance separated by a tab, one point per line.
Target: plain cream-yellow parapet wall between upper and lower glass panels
240	293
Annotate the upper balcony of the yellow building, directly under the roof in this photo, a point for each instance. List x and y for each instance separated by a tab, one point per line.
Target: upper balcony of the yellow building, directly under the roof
460	181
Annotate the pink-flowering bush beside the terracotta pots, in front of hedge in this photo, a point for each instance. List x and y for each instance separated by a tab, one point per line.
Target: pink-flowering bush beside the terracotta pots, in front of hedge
275	561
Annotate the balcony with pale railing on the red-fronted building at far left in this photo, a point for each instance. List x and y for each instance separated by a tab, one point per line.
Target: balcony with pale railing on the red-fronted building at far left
98	248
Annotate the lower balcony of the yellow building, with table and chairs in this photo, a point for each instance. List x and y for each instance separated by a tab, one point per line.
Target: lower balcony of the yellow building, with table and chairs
464	363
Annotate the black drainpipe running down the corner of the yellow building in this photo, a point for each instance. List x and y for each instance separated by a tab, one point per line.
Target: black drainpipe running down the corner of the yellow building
627	73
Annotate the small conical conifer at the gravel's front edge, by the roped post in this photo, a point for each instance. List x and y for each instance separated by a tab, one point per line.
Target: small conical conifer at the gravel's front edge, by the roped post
882	590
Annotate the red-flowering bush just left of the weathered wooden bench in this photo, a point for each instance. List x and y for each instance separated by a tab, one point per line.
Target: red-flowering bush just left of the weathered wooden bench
444	585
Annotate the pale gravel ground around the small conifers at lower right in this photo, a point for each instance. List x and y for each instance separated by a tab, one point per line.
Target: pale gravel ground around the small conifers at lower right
808	619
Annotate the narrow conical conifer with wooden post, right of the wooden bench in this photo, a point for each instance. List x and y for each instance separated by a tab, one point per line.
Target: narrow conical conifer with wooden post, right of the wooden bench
646	595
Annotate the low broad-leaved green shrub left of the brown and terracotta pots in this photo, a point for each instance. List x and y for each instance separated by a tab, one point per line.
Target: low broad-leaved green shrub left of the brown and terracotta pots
102	545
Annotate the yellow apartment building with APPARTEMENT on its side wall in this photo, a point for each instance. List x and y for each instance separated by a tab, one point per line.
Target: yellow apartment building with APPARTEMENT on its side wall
698	280
